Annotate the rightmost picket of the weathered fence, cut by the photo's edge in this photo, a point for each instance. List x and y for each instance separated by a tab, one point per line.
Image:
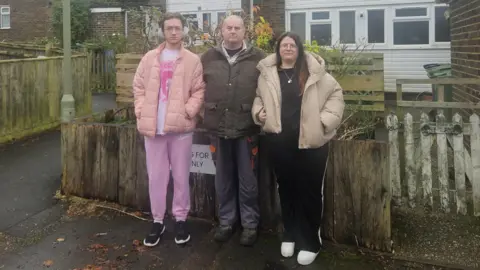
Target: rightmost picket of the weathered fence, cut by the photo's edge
475	150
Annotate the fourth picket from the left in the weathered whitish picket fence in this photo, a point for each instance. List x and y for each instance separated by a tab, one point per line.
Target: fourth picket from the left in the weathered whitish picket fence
442	159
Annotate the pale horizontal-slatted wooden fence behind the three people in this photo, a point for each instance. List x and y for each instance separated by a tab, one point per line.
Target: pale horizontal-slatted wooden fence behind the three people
362	79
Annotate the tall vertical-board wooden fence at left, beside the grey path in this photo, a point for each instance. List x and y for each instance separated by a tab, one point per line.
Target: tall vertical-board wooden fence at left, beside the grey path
31	91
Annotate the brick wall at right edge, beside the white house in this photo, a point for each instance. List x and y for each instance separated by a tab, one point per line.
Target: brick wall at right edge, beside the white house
465	29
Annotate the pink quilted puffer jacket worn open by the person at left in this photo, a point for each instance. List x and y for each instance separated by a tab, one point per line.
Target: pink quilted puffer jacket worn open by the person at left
185	97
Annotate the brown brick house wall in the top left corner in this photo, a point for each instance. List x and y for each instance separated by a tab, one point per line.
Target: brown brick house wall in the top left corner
29	19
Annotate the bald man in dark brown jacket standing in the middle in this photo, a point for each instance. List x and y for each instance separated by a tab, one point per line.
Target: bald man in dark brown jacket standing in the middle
231	76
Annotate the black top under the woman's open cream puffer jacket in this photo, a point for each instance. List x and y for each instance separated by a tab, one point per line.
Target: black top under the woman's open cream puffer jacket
291	101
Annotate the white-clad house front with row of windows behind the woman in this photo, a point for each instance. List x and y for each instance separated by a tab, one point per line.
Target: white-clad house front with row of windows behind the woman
410	33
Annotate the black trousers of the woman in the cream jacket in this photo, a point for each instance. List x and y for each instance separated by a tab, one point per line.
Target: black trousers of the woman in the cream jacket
300	174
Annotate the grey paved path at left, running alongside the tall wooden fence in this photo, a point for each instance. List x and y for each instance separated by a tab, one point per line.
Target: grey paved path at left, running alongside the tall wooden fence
30	173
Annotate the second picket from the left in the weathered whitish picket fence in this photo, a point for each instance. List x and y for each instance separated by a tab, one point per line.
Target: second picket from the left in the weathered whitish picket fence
410	160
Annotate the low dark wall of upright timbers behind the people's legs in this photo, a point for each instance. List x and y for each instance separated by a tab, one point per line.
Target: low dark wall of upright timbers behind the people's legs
357	188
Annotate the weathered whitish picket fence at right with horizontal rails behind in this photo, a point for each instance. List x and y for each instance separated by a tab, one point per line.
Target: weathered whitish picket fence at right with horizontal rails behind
450	187
